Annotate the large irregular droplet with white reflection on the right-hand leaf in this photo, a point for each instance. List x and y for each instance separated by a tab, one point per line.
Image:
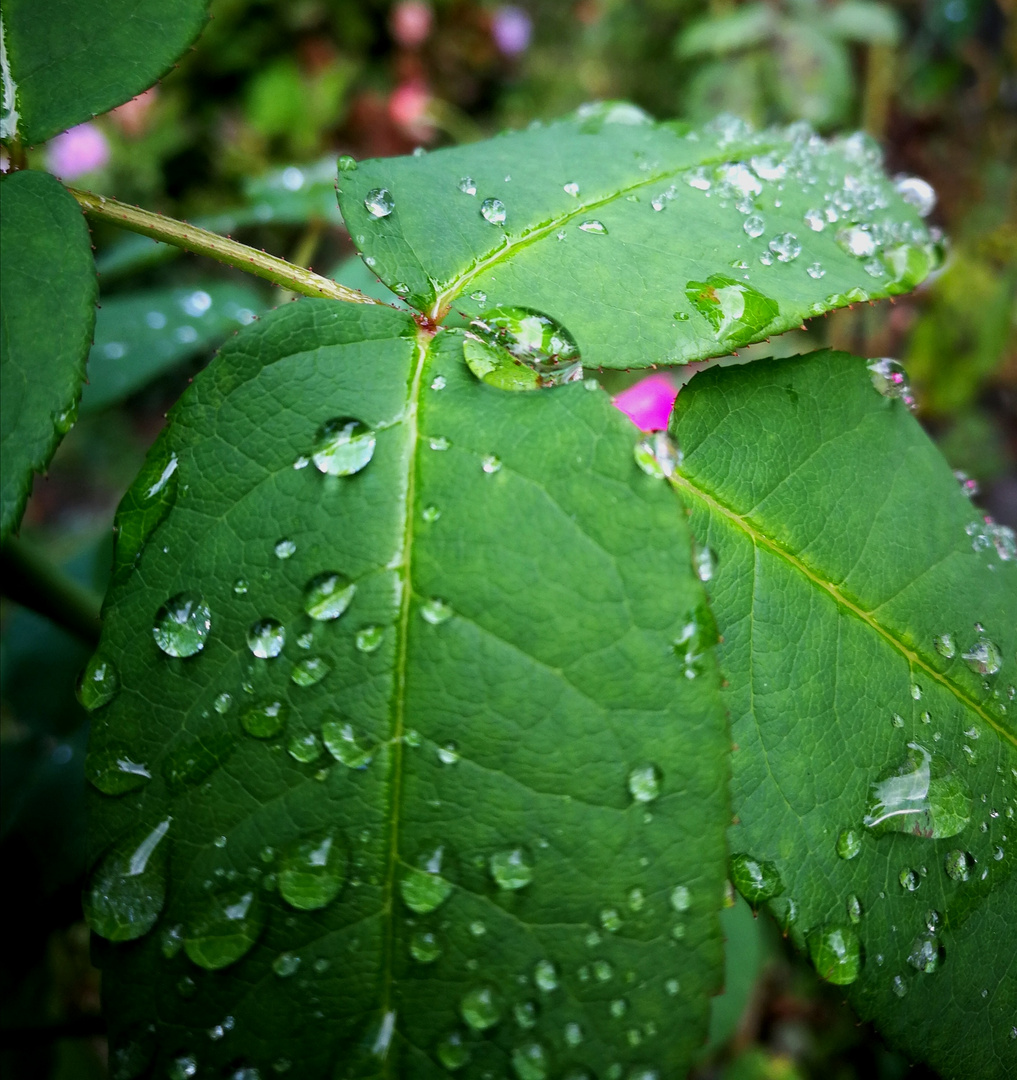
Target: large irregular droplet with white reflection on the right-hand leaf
923	796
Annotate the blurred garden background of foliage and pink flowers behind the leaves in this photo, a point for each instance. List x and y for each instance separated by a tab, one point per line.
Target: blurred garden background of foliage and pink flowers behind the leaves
242	138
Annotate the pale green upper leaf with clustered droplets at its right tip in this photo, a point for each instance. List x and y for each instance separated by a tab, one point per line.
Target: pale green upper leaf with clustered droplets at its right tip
609	212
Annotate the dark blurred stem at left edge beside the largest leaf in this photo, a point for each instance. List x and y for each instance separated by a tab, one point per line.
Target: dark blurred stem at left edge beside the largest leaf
32	580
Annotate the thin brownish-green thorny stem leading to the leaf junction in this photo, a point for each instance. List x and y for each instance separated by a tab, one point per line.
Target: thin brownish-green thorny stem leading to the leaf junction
204	242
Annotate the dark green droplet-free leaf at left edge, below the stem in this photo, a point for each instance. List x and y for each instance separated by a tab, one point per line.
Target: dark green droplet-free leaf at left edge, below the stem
48	292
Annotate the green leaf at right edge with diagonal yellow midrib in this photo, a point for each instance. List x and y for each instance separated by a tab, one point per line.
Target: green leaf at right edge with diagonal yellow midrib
876	771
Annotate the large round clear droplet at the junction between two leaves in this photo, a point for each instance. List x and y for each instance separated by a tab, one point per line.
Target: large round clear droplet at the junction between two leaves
522	336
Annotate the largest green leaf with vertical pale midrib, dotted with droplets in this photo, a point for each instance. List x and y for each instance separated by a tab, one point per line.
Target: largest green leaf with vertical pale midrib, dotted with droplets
467	806
